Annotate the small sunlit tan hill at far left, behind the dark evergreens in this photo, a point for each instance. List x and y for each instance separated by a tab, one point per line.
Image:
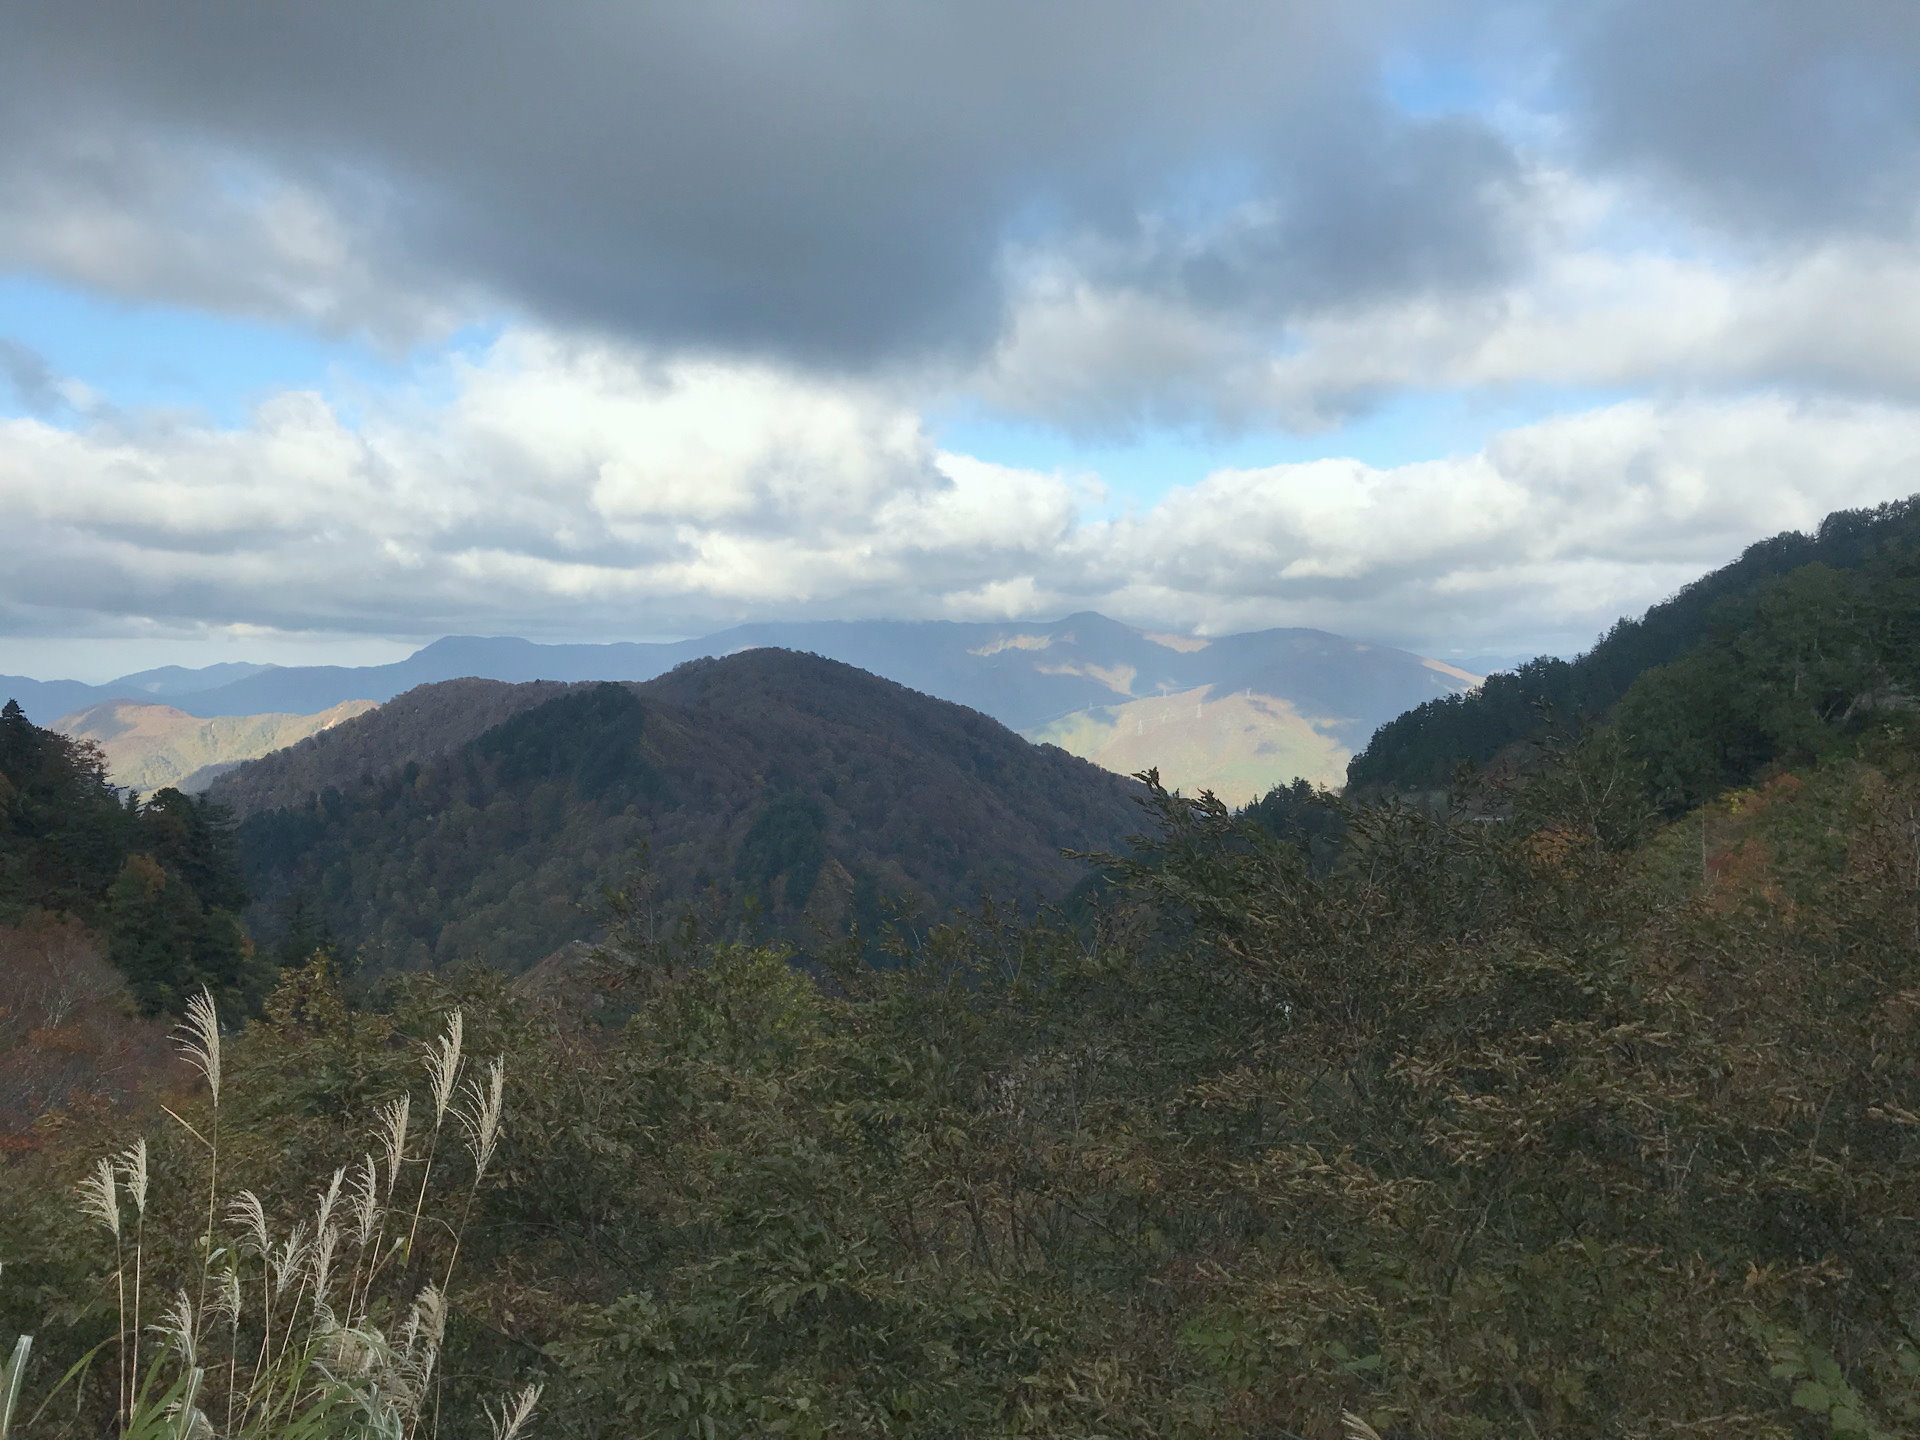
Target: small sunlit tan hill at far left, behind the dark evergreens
155	746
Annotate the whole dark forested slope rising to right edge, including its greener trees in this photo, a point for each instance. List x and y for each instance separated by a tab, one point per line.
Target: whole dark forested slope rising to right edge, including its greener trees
1838	635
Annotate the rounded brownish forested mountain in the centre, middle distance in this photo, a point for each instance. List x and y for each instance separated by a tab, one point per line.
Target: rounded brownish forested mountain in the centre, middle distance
819	790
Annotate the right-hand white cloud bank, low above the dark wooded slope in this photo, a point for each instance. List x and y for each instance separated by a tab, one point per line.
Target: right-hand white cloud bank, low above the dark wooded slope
1541	540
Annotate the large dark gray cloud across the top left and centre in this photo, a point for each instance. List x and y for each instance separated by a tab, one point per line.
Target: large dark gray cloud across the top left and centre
830	181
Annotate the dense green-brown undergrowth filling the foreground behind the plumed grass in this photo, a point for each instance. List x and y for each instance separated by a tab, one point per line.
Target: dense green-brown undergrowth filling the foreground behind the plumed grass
1533	1120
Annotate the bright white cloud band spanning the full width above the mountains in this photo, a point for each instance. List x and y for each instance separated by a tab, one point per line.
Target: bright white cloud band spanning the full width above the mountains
571	487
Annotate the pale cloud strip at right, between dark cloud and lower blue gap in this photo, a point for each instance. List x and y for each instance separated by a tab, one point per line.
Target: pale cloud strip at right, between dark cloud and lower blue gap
1591	314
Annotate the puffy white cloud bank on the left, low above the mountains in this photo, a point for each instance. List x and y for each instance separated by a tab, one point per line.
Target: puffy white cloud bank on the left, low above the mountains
567	485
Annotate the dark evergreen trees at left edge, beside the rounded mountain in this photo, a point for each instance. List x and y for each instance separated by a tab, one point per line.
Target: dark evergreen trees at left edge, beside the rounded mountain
158	876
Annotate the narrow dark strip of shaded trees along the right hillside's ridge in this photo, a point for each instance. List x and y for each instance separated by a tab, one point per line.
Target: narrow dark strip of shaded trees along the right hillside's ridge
1424	748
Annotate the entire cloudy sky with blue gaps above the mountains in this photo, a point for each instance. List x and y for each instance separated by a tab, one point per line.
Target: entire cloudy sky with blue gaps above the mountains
335	327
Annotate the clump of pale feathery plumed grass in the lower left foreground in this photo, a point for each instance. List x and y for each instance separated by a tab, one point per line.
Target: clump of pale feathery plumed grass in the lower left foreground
310	1347
